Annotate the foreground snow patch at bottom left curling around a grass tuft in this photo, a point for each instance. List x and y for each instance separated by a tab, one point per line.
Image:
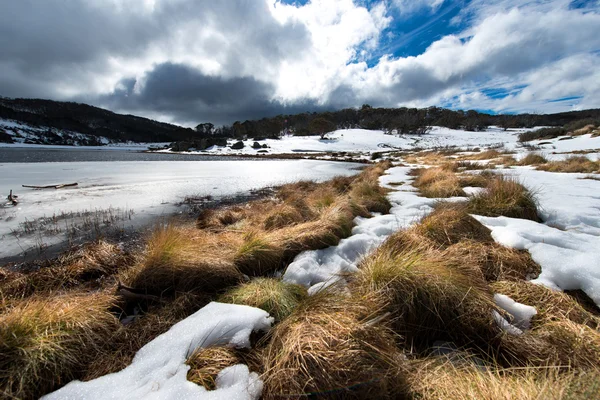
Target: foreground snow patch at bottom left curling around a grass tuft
158	370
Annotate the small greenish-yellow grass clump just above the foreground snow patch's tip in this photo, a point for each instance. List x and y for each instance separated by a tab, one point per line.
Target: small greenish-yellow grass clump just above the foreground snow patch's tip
276	297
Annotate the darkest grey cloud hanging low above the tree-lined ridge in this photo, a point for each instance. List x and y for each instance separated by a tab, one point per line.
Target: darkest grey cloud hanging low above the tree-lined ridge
191	96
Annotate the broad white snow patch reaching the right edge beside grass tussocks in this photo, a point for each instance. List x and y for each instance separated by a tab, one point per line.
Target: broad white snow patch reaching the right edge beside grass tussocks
567	244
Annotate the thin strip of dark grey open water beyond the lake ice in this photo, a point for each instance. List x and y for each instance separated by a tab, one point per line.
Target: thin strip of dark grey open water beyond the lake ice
78	154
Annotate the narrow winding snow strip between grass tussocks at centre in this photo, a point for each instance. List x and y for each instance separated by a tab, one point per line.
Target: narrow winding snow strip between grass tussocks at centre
319	268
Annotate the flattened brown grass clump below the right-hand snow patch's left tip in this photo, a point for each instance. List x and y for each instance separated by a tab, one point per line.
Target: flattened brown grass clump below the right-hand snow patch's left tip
495	261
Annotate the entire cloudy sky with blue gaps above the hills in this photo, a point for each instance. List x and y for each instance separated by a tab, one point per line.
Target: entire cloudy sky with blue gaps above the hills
191	61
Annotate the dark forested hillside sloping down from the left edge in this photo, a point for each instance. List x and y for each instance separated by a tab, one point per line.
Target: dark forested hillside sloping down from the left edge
56	116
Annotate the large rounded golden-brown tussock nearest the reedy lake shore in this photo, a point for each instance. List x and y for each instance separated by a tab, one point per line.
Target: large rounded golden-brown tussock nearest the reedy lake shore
175	260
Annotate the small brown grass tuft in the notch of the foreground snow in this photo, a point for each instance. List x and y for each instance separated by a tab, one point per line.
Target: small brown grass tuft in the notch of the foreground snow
206	363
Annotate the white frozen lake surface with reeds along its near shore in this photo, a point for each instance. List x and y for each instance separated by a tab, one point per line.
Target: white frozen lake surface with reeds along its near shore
129	193
